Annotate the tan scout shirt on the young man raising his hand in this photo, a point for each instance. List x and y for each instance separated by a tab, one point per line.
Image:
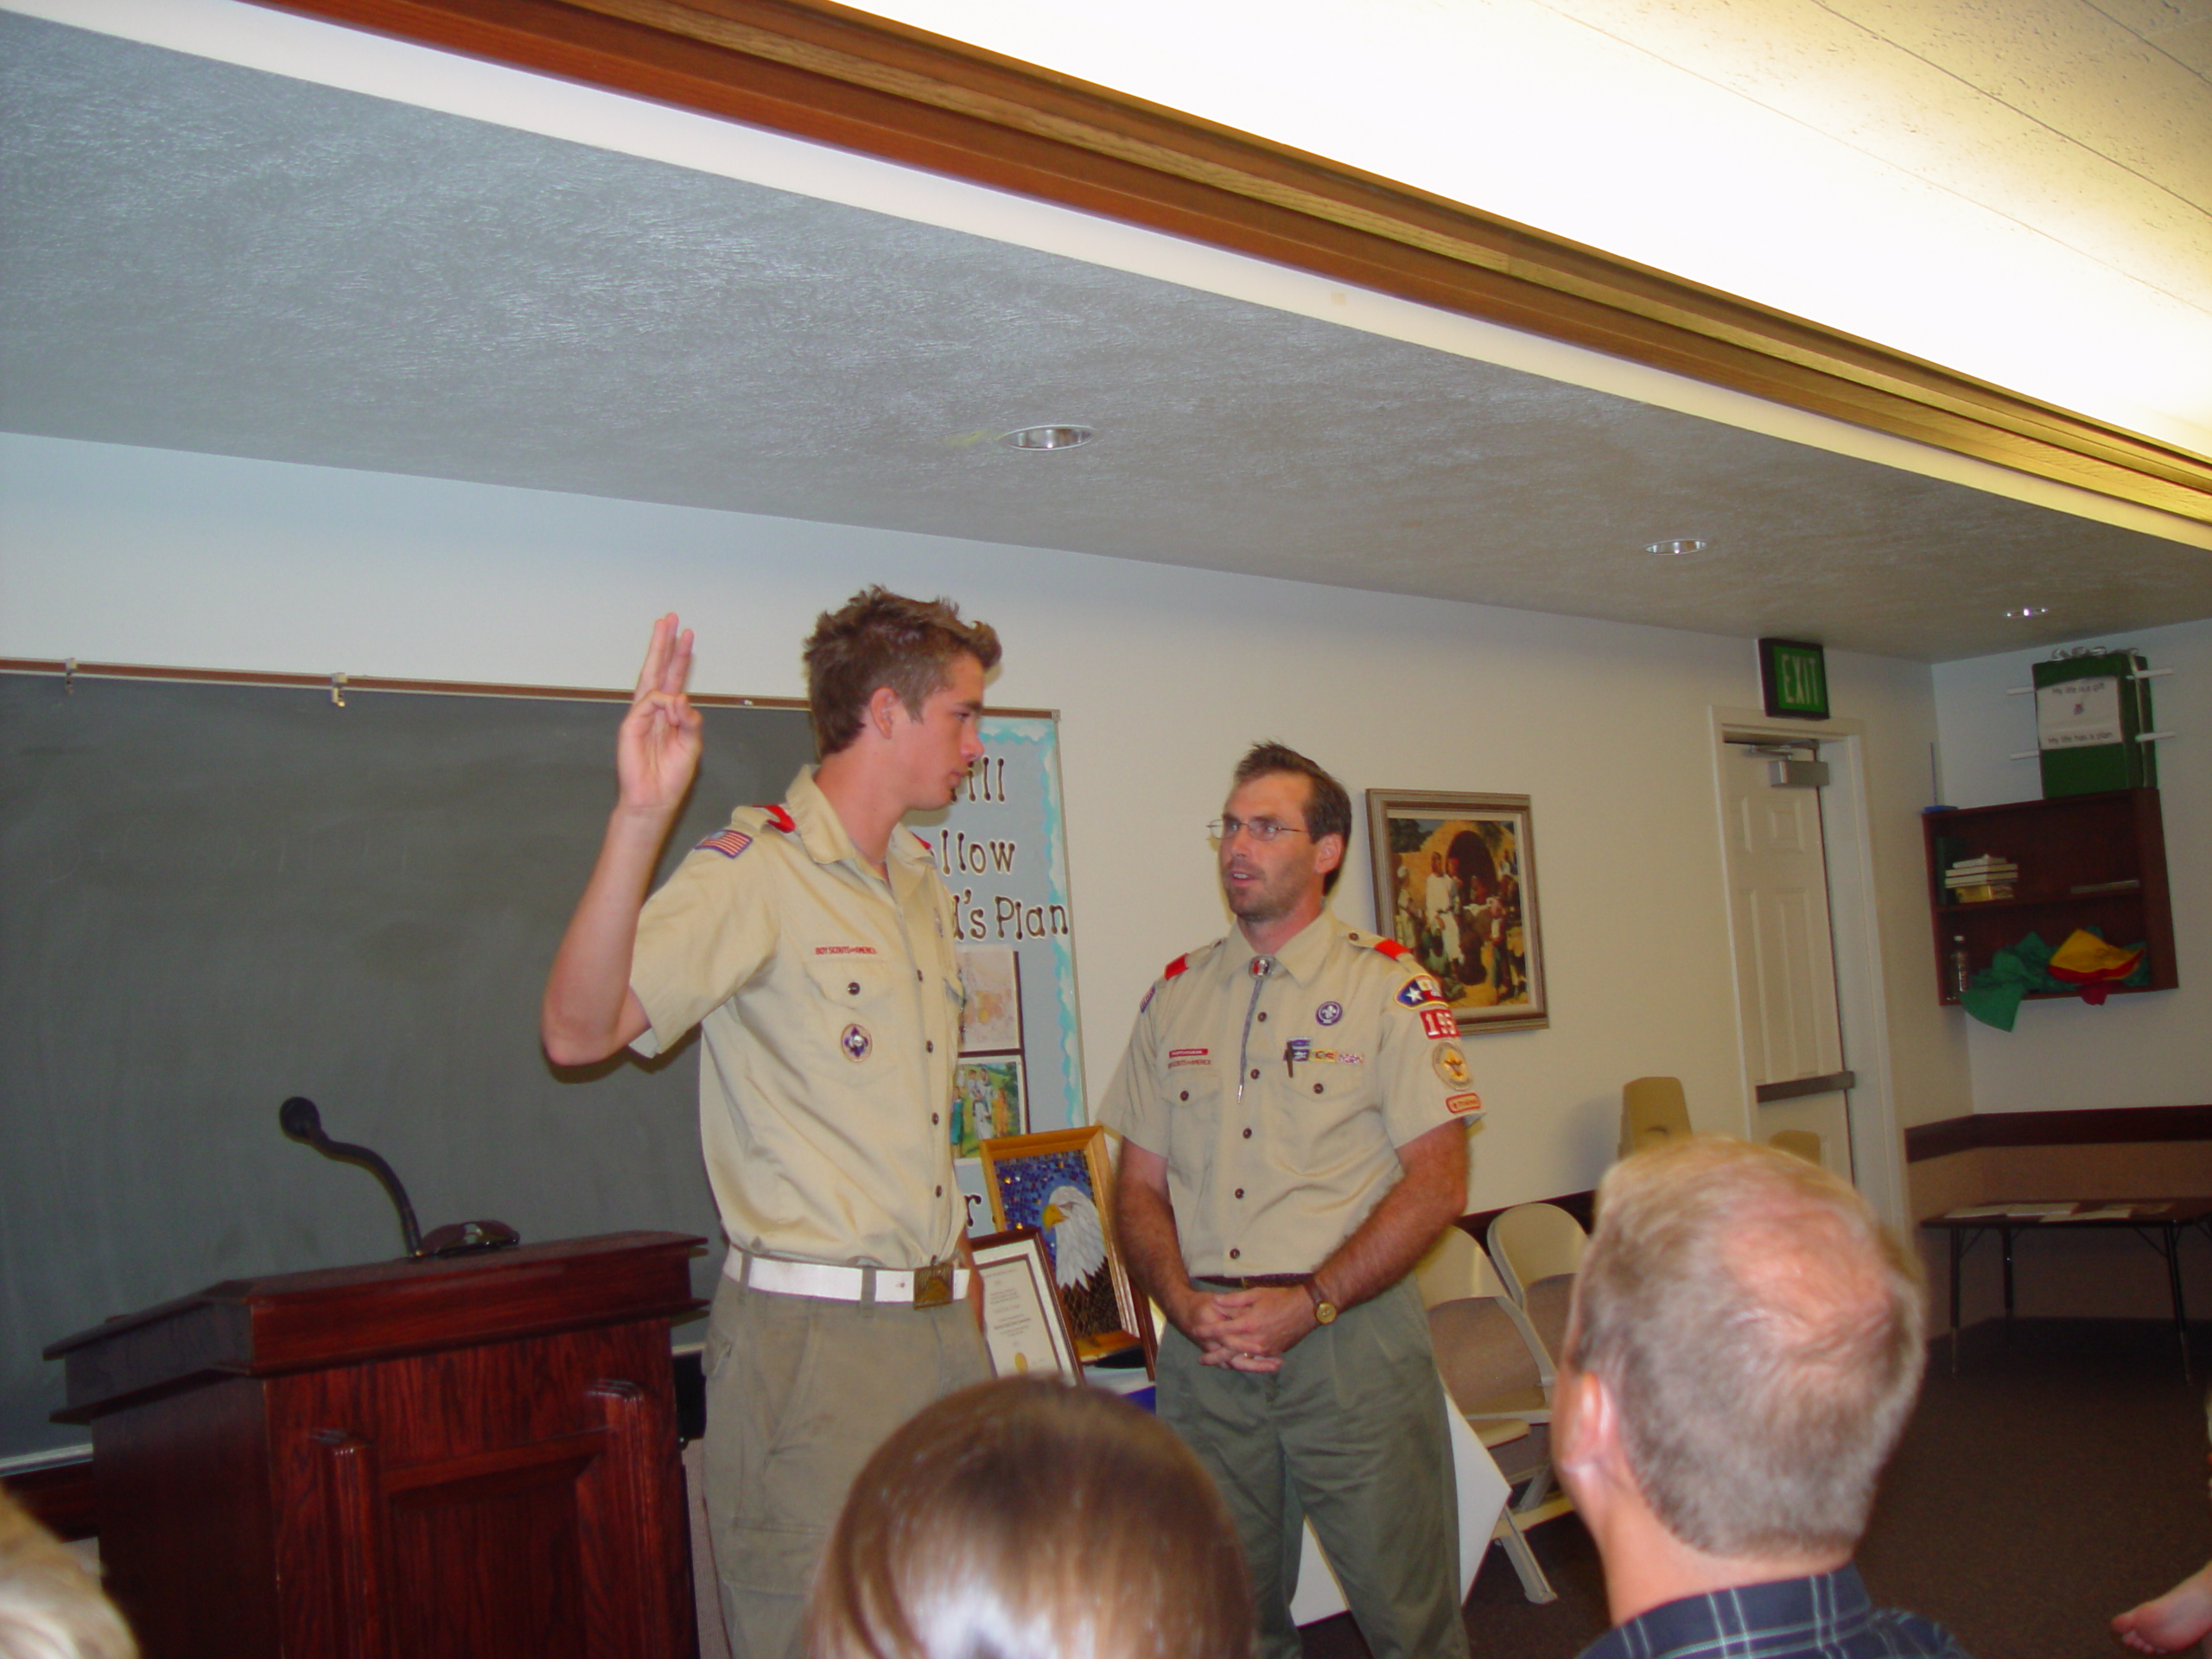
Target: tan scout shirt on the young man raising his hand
831	1008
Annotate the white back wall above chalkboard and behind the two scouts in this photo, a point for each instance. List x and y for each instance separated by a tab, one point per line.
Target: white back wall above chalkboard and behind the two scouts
1162	678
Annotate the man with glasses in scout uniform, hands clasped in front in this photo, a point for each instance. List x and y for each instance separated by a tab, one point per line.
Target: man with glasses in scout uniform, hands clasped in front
1295	1114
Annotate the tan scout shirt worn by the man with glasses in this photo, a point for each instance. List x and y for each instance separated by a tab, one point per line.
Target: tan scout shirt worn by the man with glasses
1282	1100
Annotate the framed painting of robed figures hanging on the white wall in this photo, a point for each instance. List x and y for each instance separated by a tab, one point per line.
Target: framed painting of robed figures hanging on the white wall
1457	886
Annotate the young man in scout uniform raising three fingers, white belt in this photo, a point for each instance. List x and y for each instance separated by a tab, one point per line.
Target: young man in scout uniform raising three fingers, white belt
815	946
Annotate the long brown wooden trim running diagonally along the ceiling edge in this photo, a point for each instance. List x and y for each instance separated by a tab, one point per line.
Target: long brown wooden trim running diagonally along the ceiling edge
837	76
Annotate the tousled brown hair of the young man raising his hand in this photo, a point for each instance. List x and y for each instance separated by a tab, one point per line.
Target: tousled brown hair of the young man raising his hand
884	638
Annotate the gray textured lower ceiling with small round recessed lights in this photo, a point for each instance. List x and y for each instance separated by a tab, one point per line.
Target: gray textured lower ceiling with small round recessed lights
209	258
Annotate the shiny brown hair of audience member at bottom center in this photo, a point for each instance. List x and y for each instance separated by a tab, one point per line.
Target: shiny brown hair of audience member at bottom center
1032	1521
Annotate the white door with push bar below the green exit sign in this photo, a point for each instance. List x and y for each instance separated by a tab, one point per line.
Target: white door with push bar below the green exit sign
1786	961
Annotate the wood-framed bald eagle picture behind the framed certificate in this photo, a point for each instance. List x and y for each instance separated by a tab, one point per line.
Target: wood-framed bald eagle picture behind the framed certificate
1061	1185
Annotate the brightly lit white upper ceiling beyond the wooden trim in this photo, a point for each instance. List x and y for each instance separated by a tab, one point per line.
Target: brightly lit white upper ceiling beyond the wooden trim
2016	189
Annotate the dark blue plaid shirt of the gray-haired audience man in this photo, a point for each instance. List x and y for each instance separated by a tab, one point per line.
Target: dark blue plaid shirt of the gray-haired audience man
1817	1618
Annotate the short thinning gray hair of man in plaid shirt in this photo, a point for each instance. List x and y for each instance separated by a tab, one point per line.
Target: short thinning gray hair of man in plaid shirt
1762	1337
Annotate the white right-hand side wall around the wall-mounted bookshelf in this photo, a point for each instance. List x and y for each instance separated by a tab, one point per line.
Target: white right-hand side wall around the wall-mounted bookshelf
2136	1050
